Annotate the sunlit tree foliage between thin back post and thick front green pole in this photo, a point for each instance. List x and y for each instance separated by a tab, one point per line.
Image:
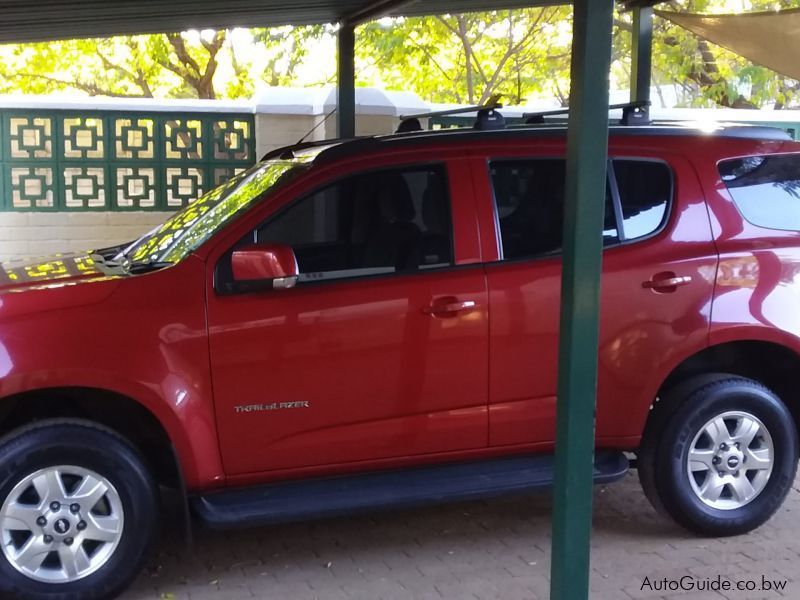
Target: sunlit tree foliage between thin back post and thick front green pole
466	58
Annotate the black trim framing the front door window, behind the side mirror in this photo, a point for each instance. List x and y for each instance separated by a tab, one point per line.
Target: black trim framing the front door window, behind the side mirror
223	285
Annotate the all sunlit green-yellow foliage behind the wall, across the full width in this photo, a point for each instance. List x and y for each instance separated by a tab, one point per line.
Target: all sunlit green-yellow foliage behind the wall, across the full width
520	54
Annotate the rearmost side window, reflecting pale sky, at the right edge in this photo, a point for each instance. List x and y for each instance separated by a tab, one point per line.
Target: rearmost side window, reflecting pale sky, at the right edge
765	189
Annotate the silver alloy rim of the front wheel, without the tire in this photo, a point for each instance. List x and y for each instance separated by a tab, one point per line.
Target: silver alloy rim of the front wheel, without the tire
61	524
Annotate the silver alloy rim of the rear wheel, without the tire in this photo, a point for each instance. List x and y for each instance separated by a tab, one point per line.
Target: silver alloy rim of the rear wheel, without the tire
730	460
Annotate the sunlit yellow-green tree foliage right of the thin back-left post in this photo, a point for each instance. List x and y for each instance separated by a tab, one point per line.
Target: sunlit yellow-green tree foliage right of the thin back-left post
524	53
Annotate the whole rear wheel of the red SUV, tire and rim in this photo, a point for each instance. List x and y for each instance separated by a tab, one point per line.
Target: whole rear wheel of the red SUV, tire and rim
727	457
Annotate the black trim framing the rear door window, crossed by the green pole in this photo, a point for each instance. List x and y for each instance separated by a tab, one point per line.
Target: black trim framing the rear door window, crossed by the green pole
615	199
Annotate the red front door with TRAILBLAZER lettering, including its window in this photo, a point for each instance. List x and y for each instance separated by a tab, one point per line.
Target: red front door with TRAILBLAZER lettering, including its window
381	350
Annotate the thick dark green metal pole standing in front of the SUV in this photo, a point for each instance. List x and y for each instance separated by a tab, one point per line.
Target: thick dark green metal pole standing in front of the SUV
587	151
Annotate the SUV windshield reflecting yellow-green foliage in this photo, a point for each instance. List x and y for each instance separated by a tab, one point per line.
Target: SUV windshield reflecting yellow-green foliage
187	229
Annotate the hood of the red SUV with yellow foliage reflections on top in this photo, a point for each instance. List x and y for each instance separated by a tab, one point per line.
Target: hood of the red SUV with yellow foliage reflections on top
58	269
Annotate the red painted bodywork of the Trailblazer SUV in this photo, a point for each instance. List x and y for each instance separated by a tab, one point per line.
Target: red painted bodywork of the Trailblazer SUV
391	378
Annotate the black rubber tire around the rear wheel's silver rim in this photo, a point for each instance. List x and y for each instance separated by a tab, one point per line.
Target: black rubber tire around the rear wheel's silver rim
667	475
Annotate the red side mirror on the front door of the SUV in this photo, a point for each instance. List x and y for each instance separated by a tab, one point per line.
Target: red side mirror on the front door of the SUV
273	264
